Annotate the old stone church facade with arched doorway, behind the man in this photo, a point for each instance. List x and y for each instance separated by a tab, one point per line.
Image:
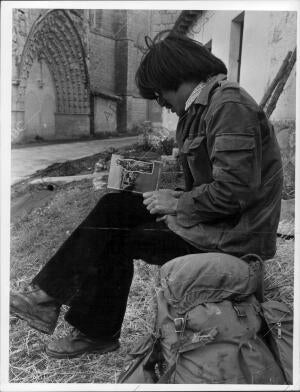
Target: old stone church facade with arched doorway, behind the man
73	71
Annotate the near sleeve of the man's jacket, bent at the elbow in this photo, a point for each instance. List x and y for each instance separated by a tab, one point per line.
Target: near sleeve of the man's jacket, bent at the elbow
233	133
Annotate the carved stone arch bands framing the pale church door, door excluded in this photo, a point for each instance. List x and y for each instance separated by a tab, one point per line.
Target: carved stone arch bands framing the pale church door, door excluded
54	39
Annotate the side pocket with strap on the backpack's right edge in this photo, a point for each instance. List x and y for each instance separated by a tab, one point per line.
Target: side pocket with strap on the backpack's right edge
279	334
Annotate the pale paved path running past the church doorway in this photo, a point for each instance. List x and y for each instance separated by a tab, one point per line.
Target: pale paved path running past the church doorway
27	160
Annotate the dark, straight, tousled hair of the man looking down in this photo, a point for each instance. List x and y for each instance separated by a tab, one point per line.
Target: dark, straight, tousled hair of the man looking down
172	60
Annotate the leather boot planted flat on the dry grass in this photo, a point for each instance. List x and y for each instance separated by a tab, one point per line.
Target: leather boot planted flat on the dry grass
76	343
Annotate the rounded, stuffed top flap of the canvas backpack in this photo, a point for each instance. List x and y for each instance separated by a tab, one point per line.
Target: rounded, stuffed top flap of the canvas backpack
195	279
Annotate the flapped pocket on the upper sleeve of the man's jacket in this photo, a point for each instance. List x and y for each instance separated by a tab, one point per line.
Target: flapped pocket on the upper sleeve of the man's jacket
236	159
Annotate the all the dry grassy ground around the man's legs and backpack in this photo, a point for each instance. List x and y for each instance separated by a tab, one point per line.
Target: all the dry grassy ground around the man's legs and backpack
36	235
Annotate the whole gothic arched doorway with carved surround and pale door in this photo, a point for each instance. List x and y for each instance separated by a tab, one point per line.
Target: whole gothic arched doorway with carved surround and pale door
54	85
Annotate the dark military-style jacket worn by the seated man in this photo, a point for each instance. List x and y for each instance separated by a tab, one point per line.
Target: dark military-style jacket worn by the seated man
233	173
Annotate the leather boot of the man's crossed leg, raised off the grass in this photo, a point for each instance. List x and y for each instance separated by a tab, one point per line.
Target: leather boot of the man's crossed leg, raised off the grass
37	308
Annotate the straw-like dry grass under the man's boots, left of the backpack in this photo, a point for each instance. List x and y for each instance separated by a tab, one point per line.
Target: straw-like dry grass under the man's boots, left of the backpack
30	364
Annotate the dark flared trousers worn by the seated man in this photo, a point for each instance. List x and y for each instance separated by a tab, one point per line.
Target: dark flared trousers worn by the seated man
93	269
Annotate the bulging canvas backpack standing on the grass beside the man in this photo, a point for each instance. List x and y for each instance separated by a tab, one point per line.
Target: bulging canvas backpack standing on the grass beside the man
208	328
